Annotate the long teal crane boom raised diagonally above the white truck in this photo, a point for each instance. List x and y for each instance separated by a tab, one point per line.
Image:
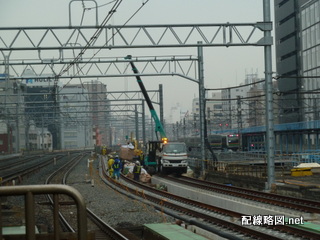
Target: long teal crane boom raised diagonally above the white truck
158	125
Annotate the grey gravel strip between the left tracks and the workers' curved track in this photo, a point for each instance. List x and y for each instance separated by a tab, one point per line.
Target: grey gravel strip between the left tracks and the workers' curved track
113	207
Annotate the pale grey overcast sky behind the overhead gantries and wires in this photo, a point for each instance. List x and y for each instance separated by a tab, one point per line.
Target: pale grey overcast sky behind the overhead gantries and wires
224	67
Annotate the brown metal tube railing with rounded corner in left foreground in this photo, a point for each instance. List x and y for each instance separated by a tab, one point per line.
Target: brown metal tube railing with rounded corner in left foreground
29	192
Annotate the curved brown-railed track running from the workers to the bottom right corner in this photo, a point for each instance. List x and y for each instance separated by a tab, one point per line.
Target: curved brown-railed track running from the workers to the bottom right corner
211	217
